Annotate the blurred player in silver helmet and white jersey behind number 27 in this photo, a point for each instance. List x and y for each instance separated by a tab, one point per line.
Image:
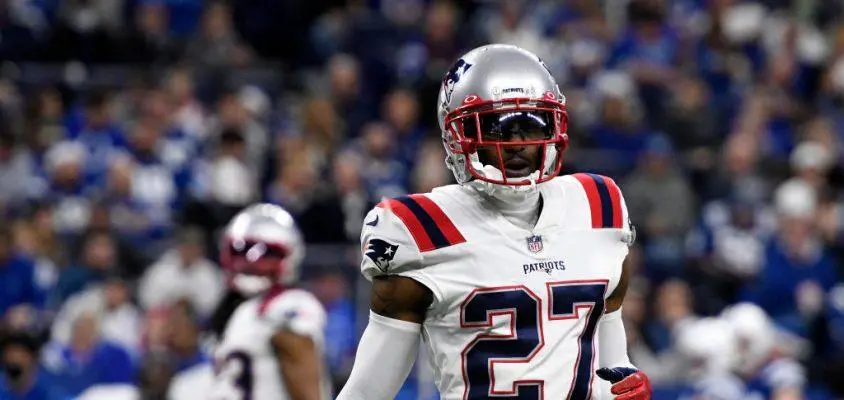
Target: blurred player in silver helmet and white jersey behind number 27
272	345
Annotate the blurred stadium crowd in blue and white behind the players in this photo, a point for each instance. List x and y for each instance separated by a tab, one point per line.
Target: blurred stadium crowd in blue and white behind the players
132	130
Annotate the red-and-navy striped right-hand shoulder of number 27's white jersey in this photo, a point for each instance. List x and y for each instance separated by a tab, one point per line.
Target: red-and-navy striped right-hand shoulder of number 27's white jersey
604	203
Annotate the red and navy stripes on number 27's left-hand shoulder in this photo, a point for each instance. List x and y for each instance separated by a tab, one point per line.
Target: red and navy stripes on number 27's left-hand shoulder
430	227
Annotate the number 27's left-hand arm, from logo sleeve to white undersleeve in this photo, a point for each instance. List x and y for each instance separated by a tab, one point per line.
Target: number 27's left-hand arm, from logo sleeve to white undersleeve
388	347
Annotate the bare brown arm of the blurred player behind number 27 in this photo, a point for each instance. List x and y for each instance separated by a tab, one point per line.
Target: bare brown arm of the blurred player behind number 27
299	359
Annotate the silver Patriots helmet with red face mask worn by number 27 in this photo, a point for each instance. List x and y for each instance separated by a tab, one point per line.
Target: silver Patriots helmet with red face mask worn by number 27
488	88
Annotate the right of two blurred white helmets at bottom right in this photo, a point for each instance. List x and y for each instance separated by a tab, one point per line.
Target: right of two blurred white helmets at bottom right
756	335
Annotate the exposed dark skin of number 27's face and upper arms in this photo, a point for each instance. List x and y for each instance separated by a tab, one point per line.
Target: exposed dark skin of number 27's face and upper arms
405	299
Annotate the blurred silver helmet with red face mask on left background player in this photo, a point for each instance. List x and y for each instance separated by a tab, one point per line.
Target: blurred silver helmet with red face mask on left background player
261	247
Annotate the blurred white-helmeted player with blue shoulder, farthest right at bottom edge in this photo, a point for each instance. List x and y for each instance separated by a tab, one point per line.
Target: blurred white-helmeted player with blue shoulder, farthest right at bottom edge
767	373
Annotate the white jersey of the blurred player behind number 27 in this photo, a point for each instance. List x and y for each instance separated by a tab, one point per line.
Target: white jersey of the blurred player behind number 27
245	361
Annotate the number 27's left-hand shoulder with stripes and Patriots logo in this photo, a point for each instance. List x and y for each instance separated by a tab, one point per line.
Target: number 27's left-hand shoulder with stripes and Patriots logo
398	232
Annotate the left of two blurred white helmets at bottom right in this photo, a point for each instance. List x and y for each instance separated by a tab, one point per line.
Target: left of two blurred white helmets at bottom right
707	347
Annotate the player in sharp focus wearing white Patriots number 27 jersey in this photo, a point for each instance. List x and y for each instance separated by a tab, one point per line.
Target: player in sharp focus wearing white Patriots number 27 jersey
514	277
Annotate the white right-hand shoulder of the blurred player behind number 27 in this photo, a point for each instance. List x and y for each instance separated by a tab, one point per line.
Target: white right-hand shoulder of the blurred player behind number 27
295	310
